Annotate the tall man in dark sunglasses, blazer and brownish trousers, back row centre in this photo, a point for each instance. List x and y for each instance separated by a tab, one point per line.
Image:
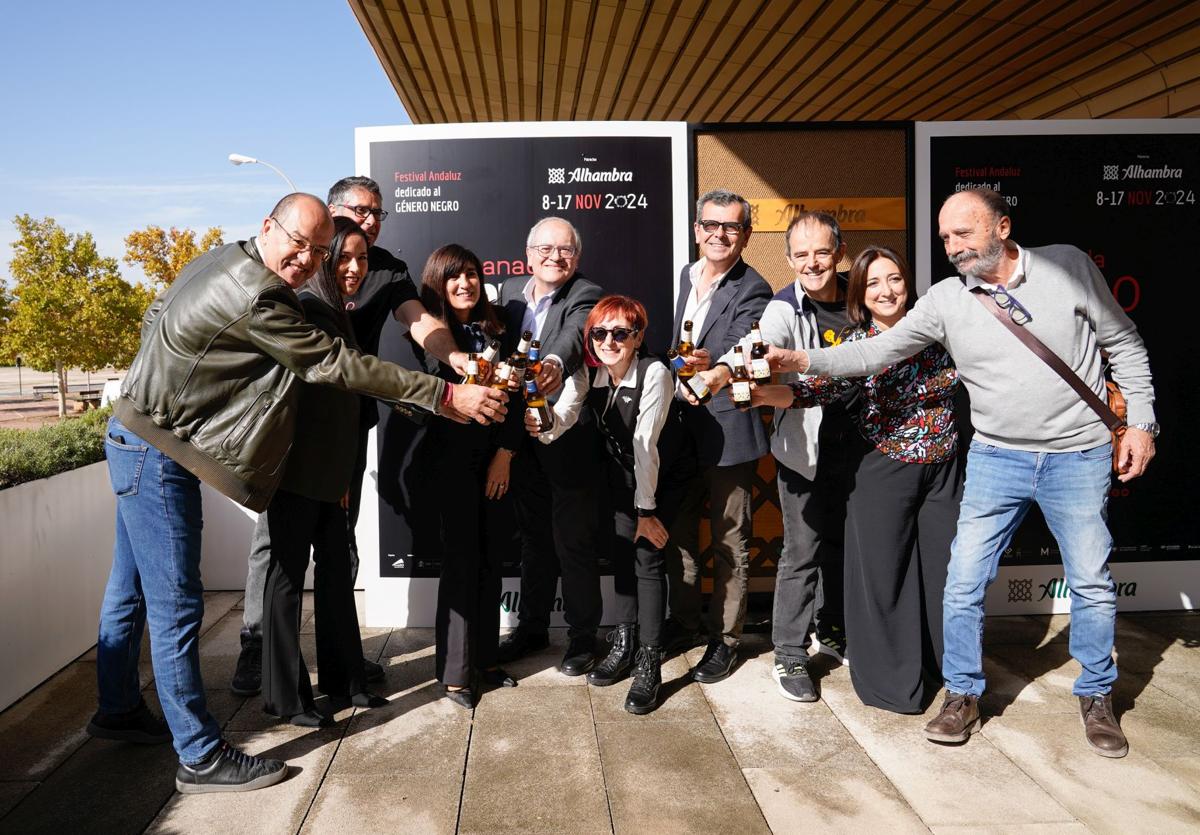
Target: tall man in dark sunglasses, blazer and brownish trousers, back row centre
722	296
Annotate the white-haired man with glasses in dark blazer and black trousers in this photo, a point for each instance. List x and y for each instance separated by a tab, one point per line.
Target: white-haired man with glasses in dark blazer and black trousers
555	485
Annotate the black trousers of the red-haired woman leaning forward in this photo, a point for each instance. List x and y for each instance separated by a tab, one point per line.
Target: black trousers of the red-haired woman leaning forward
639	569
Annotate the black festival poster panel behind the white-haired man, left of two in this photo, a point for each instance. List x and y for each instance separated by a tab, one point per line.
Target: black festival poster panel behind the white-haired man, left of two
485	194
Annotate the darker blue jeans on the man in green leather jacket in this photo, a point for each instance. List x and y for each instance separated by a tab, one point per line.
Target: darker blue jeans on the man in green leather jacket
157	580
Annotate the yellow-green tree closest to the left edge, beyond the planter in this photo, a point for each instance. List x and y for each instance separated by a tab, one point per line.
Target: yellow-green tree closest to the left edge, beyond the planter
71	308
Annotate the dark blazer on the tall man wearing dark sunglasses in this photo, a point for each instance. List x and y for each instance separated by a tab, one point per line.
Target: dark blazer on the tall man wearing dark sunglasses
725	436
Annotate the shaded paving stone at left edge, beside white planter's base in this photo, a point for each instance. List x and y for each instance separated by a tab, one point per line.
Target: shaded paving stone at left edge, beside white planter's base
44	729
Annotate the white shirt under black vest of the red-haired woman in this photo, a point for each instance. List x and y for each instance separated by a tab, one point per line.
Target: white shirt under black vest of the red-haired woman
652	417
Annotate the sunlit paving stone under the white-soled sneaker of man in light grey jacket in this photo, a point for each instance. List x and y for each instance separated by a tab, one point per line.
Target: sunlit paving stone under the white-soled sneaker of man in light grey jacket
766	730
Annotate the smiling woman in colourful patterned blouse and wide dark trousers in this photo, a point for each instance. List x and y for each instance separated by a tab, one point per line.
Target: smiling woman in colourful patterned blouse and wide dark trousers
904	507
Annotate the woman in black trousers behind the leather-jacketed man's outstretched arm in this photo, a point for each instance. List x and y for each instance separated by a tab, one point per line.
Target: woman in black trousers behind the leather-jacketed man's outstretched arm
309	513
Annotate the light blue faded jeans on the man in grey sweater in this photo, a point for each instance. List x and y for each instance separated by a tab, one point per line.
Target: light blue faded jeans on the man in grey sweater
1072	490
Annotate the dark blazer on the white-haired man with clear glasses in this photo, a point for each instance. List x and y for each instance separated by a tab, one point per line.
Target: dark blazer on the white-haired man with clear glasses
567	460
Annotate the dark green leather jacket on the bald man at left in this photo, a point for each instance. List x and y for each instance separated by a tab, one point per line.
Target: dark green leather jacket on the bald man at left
217	380
